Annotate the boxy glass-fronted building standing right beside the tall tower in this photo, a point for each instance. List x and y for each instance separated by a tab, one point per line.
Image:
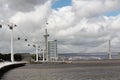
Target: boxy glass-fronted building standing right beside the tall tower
52	50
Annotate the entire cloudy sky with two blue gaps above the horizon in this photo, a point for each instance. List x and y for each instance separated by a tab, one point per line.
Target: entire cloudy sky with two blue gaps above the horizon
79	26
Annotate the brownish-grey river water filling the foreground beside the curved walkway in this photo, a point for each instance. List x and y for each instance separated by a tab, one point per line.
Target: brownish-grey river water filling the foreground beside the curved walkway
63	72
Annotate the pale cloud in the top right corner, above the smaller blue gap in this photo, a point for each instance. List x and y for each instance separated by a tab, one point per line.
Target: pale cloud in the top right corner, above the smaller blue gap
89	8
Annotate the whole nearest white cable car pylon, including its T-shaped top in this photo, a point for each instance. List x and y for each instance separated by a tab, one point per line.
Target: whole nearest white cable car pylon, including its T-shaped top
11	26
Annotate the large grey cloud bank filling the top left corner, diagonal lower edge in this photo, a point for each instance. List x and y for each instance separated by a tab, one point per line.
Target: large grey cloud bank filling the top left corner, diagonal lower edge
9	8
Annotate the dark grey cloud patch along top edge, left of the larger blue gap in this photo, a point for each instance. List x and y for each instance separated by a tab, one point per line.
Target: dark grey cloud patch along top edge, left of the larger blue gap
23	5
